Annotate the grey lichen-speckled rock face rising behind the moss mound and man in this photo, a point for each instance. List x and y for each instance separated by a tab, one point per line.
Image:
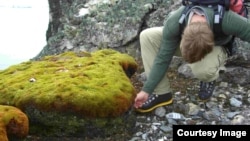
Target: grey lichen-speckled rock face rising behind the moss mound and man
95	24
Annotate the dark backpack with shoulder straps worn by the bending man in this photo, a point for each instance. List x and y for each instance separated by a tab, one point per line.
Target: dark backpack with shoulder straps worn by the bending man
219	7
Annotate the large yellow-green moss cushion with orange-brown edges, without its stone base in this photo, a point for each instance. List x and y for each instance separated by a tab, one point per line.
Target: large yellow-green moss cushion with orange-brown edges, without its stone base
89	84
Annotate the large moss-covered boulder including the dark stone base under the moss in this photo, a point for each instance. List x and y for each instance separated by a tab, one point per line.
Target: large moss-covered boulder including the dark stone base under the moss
72	93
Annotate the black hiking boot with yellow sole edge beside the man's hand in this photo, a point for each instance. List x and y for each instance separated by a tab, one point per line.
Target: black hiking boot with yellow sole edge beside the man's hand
155	101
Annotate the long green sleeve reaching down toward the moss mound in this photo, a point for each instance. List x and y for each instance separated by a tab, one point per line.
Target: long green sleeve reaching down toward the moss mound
170	42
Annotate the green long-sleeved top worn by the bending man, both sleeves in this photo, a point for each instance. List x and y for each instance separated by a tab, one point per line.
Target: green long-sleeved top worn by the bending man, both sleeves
232	24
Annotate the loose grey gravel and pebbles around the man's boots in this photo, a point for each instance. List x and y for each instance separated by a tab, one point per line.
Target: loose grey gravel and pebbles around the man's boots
229	105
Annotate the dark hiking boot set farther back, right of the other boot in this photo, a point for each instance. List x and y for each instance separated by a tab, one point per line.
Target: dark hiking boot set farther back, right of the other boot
206	90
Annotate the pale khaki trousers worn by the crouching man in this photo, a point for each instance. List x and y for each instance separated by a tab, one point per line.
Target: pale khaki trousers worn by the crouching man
205	70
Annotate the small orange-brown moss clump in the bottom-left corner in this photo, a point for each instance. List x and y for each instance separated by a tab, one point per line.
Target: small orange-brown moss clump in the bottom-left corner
13	122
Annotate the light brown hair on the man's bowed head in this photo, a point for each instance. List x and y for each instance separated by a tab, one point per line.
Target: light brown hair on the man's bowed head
197	41
